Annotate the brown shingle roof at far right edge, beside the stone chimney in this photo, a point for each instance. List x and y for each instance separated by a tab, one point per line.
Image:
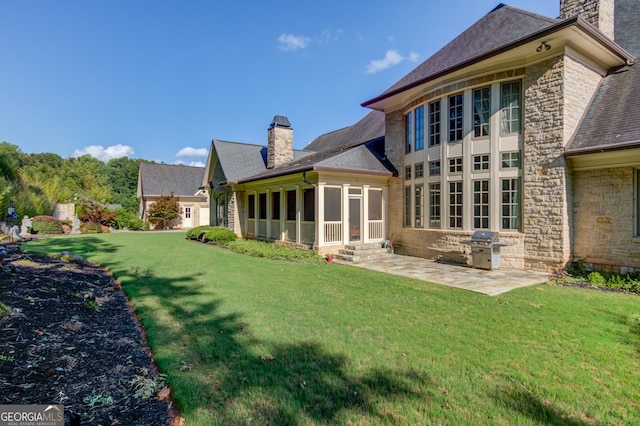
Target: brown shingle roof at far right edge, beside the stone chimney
613	118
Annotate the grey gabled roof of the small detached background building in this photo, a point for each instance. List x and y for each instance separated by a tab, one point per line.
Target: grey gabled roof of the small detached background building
164	179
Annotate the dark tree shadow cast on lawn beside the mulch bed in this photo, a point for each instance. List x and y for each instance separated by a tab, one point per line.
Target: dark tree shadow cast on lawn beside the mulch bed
237	378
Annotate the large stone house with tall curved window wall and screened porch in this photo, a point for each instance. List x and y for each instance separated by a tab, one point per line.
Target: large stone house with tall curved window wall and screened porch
524	125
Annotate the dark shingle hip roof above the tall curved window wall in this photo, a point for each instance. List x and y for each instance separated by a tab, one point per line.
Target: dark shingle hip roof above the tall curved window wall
501	27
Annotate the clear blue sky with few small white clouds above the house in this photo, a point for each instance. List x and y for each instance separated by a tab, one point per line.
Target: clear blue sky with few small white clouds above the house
159	80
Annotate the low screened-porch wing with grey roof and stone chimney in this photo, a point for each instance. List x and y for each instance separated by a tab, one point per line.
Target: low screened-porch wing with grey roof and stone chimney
333	192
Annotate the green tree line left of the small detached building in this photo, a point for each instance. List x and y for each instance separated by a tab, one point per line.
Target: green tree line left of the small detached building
35	183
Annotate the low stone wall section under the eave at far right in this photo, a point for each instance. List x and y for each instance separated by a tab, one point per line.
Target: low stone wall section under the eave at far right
603	217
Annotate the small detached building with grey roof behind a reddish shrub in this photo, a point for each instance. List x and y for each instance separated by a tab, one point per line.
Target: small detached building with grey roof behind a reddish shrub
184	182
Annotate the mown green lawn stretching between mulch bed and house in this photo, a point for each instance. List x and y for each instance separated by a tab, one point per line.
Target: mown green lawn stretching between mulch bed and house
245	340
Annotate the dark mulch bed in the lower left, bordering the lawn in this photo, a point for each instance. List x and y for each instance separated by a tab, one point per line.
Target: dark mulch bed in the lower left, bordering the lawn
72	338
